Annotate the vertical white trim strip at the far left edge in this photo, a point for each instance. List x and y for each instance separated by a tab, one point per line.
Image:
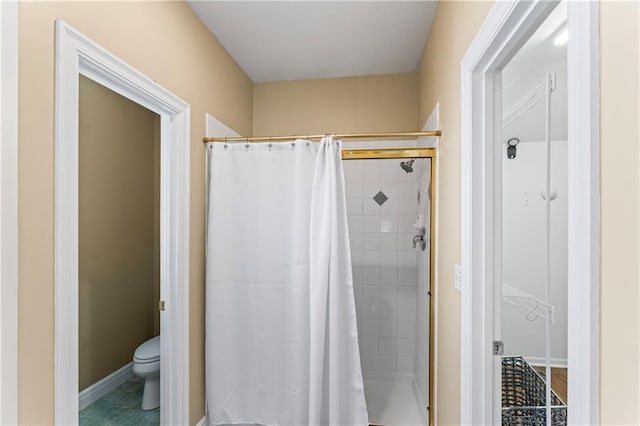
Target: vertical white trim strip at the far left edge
9	212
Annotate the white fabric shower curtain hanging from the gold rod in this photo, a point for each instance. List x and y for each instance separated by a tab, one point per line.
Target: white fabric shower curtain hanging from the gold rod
281	342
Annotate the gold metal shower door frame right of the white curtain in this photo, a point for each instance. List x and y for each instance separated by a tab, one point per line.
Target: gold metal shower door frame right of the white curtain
414	152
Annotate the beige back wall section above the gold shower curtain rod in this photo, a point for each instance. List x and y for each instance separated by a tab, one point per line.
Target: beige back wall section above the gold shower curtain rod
353	104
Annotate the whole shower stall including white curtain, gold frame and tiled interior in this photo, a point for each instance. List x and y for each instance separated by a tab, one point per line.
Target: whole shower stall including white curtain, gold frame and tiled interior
331	323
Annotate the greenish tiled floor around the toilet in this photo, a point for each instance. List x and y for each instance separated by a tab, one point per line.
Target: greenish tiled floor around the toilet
120	407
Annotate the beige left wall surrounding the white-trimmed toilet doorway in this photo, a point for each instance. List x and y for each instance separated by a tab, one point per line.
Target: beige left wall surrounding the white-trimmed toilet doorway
165	41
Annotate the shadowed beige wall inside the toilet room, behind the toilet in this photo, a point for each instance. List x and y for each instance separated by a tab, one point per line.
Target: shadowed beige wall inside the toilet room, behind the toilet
117	206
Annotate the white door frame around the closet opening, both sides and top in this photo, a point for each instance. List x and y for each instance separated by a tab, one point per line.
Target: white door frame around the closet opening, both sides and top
504	32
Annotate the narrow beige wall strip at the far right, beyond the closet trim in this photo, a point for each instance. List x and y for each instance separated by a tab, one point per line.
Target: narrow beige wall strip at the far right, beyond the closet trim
620	186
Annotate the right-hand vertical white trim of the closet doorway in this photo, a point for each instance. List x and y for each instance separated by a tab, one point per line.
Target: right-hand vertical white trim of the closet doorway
583	70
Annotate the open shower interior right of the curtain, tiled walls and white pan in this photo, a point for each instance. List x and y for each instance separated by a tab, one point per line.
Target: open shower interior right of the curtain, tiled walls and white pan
389	215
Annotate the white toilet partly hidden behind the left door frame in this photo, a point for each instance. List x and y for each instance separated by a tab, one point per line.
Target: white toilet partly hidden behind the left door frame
146	364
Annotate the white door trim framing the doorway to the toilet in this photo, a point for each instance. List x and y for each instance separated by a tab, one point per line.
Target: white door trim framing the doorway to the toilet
75	55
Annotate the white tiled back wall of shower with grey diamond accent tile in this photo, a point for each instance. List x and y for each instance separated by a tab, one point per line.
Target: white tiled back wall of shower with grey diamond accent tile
384	262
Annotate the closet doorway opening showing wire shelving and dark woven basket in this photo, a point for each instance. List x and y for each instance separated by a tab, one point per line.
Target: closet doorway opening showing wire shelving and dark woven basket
532	318
